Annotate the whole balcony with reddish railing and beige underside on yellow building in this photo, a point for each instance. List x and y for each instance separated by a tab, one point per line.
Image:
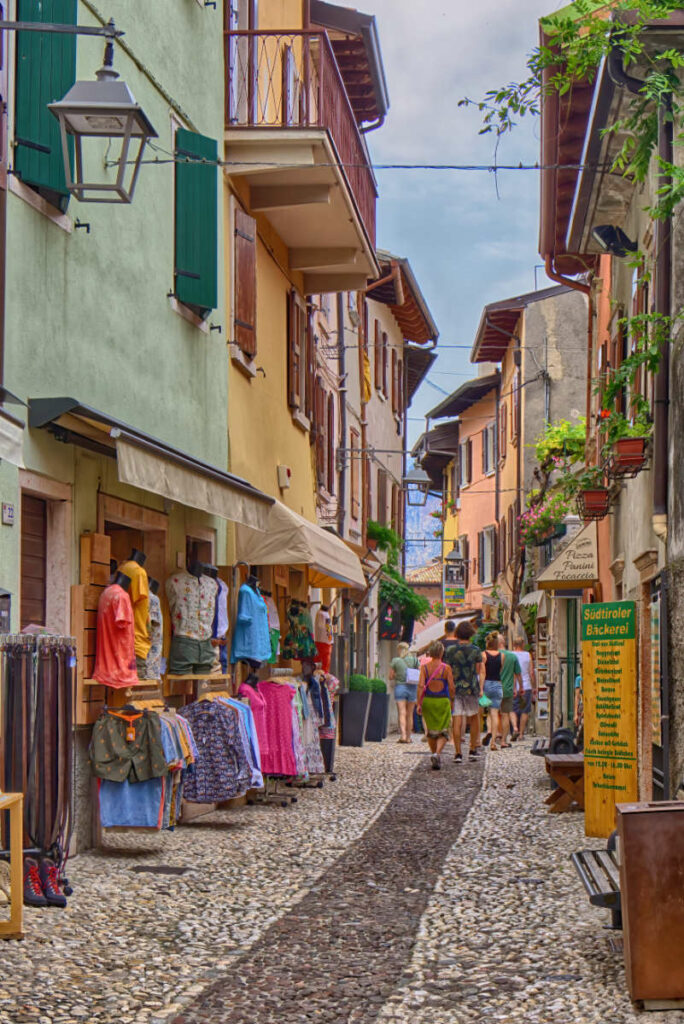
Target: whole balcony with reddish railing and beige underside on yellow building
293	138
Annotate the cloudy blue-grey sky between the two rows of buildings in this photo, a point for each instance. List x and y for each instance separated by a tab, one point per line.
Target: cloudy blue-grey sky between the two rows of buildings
467	246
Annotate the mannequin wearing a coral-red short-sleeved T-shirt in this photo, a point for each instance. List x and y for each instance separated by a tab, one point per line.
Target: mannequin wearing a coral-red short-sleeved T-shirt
115	639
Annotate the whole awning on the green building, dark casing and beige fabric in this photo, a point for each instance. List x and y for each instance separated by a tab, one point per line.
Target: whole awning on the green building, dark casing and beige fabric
152	465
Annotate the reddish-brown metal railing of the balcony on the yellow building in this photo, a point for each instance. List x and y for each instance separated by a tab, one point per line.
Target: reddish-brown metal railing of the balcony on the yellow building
292	80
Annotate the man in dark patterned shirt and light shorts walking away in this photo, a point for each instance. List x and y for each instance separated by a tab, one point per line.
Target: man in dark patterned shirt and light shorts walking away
465	661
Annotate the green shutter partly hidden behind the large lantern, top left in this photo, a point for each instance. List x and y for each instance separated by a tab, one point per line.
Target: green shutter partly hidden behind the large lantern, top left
46	71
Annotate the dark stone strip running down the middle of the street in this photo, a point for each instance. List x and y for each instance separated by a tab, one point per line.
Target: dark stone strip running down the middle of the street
338	956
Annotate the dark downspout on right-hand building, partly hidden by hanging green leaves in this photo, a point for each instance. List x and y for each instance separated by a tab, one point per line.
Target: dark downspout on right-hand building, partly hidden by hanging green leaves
663	240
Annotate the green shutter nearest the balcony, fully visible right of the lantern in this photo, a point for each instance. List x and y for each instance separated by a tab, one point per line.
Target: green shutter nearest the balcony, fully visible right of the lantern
196	270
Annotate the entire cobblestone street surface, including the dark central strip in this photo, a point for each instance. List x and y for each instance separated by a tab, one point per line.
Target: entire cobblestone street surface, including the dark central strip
395	894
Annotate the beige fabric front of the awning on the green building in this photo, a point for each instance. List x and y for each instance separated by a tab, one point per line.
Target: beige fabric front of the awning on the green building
215	493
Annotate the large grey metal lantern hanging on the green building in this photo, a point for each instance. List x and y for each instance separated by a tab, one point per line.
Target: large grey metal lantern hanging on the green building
103	110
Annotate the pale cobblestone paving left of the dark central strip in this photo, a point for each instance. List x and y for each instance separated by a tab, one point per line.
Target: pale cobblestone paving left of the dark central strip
133	949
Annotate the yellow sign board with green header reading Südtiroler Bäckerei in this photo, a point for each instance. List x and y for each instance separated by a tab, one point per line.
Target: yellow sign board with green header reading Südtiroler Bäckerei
610	694
